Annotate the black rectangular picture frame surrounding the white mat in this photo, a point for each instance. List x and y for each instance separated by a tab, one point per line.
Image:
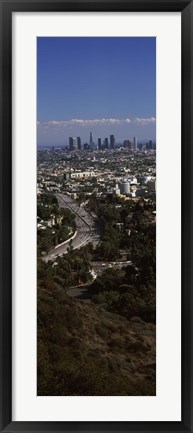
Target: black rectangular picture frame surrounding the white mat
6	9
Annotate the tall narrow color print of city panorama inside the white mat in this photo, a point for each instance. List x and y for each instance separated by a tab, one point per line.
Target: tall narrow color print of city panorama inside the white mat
96	216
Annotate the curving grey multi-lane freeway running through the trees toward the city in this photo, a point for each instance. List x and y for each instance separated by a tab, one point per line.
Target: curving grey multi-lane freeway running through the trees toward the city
86	228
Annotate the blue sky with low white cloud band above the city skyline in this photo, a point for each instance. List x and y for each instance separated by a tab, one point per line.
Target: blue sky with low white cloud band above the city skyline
95	84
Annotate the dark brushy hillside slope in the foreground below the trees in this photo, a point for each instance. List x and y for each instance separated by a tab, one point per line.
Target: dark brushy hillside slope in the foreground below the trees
86	350
